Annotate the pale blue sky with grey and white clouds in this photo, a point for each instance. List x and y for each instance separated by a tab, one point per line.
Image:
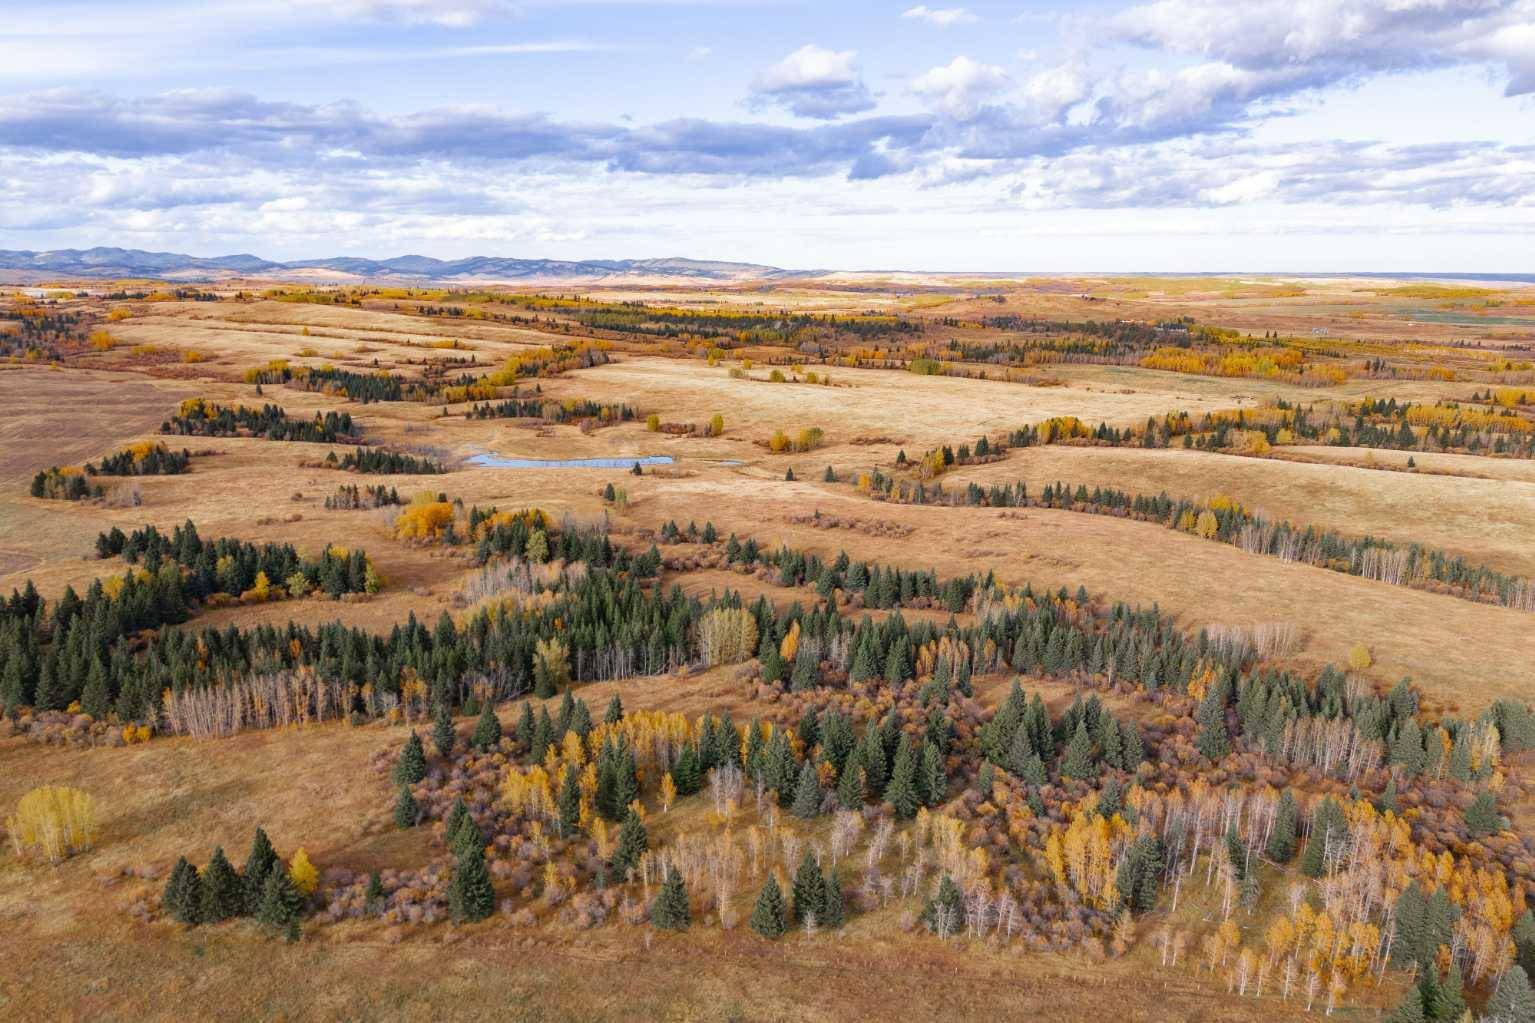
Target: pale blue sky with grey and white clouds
1164	136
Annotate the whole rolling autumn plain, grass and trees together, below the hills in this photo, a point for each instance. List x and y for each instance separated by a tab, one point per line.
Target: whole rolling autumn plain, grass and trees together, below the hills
510	713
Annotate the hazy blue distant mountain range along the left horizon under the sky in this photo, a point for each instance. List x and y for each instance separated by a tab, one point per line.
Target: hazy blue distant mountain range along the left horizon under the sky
174	267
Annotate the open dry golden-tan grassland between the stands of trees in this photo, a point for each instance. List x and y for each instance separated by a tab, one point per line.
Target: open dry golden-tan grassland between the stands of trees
73	947
